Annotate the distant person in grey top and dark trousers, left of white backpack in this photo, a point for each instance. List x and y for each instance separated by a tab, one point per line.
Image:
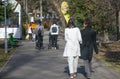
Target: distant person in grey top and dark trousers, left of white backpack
39	33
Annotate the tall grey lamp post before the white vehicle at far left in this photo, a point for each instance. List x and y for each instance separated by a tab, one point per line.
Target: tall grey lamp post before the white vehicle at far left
6	45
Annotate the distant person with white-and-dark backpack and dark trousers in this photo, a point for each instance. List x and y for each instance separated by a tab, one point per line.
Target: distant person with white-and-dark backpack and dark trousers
54	31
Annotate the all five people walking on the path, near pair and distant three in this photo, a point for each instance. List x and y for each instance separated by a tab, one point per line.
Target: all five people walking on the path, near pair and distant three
80	43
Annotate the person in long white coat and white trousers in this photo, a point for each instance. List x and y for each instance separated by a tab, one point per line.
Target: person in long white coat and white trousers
72	47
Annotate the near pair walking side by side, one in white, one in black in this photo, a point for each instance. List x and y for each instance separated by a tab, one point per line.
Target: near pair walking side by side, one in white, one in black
79	44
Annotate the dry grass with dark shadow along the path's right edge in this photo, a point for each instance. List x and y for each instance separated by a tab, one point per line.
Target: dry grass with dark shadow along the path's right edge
110	54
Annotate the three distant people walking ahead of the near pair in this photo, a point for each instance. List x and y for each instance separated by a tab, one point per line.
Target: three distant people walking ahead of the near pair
39	33
